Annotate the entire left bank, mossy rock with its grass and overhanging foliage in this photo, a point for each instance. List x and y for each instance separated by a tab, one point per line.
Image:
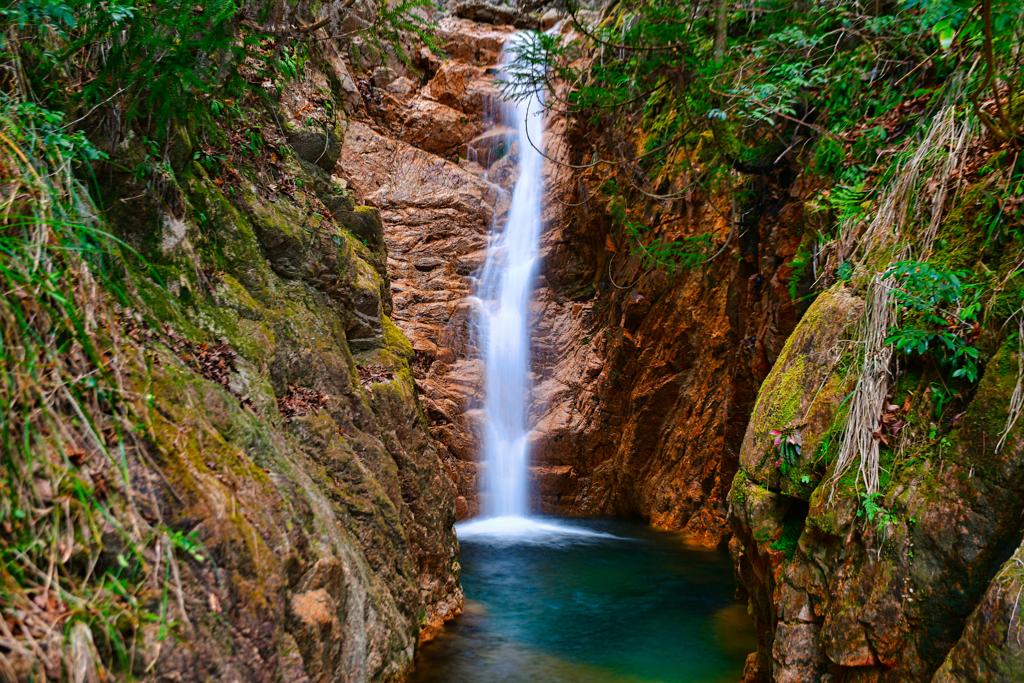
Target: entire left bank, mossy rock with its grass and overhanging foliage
215	463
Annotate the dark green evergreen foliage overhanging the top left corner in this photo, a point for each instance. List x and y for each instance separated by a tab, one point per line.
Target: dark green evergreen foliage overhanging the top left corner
161	62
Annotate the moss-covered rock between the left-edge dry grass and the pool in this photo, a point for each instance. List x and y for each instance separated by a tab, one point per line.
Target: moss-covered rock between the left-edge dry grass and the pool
329	534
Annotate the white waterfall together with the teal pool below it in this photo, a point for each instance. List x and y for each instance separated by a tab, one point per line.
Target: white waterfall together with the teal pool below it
534	612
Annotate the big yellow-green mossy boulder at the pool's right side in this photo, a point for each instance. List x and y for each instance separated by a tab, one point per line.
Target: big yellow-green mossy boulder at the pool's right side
884	600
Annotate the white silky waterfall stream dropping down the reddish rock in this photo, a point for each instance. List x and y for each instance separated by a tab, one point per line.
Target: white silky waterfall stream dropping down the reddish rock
503	296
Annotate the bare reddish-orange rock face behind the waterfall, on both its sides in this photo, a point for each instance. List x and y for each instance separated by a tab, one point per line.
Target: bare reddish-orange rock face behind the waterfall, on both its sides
639	390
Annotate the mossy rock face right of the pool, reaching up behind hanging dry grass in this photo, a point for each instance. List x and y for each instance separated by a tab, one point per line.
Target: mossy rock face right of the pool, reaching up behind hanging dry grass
919	581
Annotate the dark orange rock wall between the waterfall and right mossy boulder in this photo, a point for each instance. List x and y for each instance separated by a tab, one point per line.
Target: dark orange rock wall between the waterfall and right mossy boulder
647	377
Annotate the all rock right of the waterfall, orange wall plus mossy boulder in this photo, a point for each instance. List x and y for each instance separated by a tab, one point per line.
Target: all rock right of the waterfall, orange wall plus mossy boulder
654	390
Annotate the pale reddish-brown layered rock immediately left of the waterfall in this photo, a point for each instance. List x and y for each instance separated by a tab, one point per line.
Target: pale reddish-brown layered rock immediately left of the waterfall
409	159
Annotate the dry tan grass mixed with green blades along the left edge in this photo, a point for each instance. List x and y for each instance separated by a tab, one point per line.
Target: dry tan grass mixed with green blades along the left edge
67	425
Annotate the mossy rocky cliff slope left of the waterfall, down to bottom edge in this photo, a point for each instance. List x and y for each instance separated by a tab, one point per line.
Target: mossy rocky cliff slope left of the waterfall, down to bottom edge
282	474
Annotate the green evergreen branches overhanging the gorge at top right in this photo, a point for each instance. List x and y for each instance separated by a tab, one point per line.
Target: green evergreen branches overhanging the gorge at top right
848	83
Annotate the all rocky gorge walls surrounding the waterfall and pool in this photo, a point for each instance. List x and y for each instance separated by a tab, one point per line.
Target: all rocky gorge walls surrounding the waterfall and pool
301	391
